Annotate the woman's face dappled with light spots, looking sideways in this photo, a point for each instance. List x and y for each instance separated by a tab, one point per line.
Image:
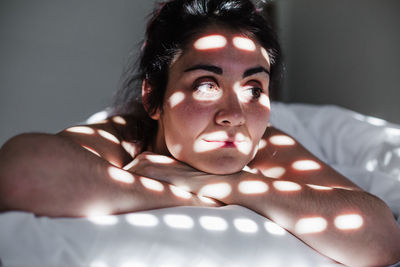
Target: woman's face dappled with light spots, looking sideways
216	106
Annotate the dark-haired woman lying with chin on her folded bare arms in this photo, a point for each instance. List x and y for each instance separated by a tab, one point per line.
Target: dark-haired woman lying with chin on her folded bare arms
204	139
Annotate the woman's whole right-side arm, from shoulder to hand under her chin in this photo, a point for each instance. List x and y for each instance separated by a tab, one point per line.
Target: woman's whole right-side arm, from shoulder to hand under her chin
319	206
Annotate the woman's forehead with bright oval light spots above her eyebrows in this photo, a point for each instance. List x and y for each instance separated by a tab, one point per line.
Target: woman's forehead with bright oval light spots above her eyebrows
222	46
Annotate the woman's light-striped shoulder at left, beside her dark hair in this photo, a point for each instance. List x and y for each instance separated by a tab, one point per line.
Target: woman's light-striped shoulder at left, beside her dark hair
110	139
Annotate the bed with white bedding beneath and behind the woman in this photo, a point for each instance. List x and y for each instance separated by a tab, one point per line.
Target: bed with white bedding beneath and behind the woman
365	149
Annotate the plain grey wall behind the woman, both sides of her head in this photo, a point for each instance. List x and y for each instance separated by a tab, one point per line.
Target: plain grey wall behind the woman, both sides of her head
60	61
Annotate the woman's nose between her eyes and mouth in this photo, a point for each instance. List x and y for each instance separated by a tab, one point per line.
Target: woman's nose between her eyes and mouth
230	112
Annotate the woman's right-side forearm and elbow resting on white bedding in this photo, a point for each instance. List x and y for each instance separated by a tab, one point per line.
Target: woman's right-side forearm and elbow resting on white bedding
315	216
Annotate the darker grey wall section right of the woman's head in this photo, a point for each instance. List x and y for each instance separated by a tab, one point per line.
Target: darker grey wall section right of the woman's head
344	52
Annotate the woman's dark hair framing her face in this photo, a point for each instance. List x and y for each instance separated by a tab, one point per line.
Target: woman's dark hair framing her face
170	28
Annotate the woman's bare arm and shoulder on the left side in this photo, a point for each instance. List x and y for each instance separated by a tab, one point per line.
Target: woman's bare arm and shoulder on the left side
78	173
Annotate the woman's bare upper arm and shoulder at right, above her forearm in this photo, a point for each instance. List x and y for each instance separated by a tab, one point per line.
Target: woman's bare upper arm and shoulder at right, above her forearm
282	156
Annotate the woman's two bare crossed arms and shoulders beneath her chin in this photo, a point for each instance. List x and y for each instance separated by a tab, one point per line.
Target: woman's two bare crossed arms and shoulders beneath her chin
89	170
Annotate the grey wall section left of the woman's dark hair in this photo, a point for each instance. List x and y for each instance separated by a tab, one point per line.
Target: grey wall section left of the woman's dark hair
60	61
